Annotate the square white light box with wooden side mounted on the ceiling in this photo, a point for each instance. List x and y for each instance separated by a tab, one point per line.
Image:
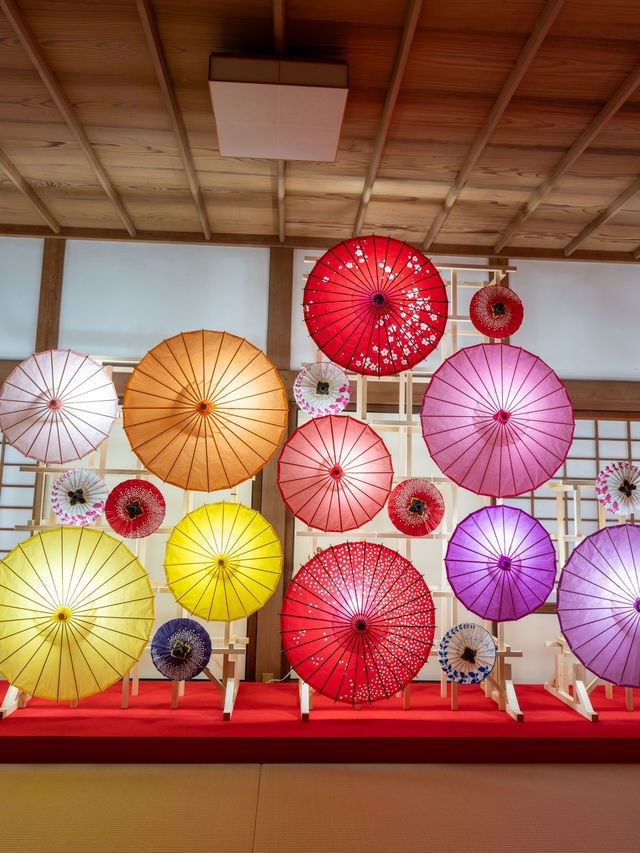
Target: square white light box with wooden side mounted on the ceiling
276	108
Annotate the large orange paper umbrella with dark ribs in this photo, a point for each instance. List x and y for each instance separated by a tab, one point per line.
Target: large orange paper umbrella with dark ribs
205	410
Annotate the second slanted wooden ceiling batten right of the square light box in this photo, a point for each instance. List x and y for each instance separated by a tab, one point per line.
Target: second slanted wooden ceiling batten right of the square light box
529	51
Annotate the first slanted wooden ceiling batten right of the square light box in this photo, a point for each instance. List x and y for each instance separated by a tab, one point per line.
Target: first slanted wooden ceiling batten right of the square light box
414	8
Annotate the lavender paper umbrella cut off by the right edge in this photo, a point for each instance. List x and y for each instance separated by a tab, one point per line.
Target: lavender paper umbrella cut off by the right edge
599	604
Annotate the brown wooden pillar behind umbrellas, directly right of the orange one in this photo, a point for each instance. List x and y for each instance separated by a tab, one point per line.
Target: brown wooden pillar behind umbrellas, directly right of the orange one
268	650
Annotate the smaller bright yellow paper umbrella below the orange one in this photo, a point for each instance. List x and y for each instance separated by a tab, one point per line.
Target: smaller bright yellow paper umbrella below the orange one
223	561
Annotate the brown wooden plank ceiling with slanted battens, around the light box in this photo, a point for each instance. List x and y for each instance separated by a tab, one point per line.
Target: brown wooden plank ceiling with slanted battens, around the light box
501	127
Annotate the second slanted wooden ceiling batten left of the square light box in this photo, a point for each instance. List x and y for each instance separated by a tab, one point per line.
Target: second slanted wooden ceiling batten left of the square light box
39	61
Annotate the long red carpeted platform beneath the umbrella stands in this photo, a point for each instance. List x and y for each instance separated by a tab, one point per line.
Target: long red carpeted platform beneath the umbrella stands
266	728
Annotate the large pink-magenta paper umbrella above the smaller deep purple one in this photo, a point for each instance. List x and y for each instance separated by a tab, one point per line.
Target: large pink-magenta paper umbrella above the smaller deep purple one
497	420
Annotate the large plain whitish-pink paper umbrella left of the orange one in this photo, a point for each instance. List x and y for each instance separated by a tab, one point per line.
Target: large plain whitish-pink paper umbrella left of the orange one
57	406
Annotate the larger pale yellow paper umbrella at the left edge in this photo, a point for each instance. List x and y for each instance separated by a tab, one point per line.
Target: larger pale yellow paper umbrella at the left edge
76	612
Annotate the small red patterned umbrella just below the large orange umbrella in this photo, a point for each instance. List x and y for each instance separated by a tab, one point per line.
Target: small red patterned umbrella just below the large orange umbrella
135	508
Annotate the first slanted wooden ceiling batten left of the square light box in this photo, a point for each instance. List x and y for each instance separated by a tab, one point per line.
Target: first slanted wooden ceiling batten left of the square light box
156	50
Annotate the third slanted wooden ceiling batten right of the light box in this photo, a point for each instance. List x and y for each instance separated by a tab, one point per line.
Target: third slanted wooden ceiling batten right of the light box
585	139
